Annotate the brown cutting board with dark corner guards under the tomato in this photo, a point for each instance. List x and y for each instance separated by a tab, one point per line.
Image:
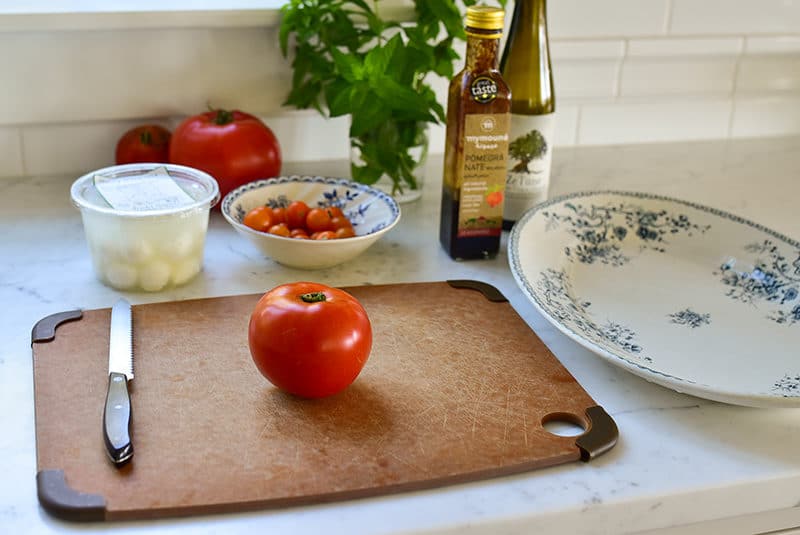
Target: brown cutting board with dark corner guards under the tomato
457	388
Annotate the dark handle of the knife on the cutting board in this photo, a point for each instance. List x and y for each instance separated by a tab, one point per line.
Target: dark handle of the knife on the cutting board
117	419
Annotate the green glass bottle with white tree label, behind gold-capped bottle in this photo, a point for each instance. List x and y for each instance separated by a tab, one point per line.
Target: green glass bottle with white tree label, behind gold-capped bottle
526	67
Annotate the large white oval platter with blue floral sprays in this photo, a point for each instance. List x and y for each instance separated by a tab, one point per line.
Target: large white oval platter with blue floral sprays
752	297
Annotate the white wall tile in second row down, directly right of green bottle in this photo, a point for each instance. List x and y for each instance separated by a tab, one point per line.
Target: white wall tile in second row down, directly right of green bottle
575	79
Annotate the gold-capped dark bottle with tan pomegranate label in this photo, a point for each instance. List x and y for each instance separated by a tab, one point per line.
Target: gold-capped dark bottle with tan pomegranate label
476	143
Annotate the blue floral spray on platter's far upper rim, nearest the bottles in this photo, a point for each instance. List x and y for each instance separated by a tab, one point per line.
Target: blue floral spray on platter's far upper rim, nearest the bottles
602	229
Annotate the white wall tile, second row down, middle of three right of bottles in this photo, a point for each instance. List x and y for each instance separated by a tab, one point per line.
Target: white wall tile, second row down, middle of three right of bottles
673	76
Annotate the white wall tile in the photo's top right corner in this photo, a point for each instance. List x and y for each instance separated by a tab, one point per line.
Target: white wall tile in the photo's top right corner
715	17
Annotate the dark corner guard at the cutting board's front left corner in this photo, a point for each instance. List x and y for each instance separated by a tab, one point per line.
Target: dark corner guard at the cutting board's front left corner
62	501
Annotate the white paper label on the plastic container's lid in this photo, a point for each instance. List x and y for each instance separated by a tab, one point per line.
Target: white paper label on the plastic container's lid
155	190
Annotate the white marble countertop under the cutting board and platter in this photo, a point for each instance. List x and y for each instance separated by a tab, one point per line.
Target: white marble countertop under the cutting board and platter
682	464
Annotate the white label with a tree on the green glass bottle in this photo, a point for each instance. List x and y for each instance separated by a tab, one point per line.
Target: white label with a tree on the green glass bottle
530	155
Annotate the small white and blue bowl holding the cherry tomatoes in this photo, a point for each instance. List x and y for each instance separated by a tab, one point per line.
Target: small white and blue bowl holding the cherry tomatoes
372	212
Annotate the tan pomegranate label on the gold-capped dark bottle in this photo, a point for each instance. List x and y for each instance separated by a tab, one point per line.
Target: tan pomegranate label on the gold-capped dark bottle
483	165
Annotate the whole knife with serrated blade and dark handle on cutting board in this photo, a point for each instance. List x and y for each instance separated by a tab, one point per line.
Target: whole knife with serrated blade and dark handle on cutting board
117	412
